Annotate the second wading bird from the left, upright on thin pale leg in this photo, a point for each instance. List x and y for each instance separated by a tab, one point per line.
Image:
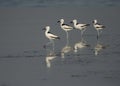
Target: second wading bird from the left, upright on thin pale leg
65	27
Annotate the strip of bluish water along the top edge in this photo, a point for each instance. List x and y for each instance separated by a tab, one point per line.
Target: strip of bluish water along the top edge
59	3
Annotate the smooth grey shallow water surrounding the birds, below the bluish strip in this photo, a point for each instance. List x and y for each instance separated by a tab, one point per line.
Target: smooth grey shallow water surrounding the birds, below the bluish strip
25	62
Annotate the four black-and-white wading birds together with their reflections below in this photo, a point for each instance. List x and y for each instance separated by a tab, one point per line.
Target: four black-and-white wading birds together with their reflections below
80	26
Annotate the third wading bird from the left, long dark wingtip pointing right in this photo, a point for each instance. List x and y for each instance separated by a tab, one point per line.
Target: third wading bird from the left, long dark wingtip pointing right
79	26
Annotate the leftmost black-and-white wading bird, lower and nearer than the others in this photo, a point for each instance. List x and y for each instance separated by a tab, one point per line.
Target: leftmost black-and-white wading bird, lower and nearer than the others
50	36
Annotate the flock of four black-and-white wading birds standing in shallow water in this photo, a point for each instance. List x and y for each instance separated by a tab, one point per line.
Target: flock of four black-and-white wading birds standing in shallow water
66	28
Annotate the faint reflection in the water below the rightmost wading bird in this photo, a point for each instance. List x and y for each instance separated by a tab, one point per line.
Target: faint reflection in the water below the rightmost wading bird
99	47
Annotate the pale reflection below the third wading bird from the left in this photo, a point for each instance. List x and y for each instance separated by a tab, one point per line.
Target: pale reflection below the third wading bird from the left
80	45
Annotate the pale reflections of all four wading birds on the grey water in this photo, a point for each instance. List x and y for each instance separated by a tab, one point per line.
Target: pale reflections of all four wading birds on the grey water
67	49
